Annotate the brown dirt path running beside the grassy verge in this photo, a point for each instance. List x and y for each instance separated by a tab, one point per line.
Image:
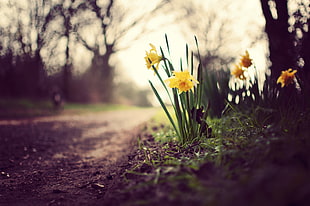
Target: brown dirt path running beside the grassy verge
65	160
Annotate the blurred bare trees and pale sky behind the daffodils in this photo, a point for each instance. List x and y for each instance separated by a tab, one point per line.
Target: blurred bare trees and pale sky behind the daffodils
70	47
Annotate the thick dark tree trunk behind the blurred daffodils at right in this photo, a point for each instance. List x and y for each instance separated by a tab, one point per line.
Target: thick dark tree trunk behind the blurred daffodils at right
288	44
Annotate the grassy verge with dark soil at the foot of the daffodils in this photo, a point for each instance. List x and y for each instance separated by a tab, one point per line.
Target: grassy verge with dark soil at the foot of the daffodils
232	166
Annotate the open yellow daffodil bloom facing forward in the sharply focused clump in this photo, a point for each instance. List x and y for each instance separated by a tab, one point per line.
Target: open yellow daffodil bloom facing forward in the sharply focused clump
182	80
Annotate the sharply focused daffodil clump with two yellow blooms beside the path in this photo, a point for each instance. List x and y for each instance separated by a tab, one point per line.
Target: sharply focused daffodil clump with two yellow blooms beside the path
185	95
